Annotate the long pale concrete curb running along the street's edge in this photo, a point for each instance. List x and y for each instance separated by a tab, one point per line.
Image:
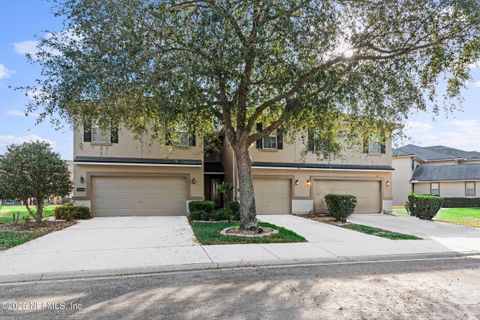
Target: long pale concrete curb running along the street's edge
145	271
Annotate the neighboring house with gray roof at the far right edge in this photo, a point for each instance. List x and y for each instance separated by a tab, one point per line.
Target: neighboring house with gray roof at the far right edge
435	170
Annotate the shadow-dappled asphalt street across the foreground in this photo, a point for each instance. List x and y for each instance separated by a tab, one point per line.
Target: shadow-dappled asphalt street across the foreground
447	288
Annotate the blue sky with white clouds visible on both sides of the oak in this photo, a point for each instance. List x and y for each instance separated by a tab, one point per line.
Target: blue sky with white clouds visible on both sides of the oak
23	21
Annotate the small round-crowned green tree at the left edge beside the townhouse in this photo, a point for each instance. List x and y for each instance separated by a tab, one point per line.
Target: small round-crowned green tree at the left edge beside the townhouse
33	170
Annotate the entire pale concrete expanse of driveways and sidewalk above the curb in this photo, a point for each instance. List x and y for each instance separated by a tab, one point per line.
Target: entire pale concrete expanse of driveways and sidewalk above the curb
156	244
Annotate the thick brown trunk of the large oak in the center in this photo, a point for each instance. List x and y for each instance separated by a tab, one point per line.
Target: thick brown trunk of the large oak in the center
248	220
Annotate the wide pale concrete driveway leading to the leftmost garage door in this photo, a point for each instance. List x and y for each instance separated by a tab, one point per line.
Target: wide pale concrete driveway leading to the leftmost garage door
106	243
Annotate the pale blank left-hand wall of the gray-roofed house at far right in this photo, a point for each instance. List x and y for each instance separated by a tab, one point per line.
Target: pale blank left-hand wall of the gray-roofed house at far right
401	185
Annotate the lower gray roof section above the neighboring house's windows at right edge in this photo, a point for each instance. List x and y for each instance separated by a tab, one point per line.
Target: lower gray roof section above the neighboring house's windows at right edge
459	172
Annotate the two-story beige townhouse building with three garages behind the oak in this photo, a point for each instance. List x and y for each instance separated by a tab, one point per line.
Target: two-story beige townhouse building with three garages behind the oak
118	174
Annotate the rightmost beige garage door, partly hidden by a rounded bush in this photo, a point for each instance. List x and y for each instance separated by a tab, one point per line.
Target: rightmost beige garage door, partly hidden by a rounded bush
367	193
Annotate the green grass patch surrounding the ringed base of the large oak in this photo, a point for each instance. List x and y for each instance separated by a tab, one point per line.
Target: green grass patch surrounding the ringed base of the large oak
209	233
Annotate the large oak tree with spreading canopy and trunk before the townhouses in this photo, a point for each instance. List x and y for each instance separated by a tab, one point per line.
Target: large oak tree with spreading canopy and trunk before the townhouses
287	64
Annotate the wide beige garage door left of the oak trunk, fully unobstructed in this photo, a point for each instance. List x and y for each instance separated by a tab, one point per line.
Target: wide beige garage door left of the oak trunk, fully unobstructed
138	196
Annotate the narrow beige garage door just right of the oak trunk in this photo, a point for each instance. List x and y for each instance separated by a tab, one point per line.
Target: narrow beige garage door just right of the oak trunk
272	196
